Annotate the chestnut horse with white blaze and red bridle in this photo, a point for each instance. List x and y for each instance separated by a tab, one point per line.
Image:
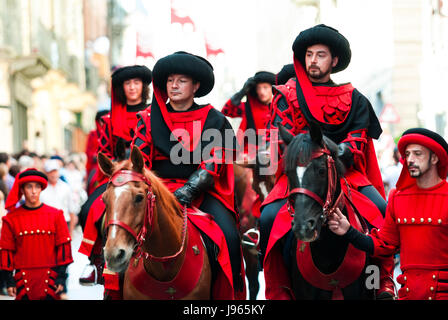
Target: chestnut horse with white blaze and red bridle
145	224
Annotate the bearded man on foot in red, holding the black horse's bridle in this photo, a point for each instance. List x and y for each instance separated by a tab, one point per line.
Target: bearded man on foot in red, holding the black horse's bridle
416	219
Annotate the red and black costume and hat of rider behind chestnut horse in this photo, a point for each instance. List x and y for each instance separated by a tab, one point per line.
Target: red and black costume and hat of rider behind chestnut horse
115	127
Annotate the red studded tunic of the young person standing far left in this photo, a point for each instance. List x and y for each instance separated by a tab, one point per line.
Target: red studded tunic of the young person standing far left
32	242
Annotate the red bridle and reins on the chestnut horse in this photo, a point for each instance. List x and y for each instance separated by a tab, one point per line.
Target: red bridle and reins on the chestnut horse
122	177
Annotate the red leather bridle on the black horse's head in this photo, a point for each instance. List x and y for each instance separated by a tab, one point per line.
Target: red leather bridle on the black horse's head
327	207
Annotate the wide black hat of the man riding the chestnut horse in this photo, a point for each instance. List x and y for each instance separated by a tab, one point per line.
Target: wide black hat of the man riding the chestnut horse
185	63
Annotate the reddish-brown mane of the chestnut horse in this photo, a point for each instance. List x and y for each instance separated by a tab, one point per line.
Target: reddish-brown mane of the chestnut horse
169	204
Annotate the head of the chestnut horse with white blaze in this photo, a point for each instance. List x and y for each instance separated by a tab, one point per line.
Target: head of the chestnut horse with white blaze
127	198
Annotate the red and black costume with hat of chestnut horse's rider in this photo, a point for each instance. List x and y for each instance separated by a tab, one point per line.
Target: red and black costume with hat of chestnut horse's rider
203	174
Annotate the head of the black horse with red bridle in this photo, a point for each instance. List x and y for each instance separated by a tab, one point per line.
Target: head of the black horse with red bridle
313	170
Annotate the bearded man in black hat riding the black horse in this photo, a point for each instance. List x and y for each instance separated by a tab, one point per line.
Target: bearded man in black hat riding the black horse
344	115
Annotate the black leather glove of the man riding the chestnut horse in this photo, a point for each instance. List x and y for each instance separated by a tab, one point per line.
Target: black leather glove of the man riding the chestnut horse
199	181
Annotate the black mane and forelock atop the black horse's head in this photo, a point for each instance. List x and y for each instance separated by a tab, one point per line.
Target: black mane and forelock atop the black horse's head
300	151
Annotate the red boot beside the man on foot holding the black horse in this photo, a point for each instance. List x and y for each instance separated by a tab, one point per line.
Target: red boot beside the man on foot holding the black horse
387	289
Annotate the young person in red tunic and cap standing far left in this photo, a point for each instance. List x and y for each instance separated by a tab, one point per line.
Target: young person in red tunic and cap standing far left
35	242
